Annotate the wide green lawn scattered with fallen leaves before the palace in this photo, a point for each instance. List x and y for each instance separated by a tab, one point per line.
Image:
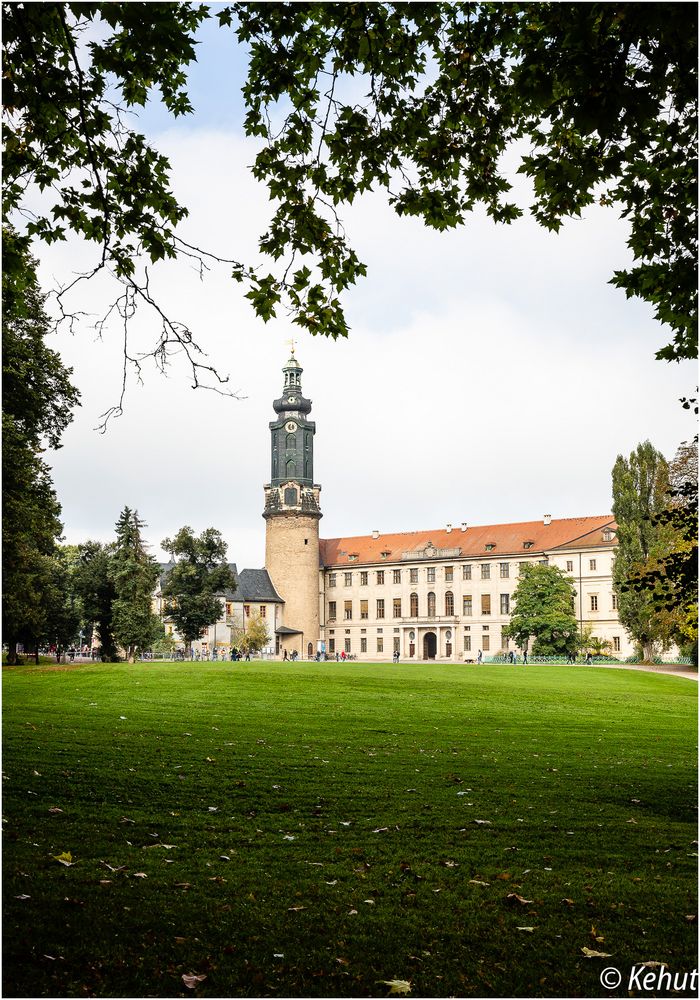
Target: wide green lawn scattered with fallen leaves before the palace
323	829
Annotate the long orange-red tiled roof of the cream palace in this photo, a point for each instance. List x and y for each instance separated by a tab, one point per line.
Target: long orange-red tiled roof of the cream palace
507	539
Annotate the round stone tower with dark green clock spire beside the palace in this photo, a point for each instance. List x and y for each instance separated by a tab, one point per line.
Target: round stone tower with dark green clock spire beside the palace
292	513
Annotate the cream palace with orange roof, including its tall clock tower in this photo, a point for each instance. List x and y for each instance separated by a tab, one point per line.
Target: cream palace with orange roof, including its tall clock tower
443	594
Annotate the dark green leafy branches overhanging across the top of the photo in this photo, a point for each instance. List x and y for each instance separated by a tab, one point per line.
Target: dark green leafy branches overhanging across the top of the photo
598	103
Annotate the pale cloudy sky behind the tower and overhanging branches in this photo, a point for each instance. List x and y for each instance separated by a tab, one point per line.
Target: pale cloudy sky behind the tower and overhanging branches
491	375
